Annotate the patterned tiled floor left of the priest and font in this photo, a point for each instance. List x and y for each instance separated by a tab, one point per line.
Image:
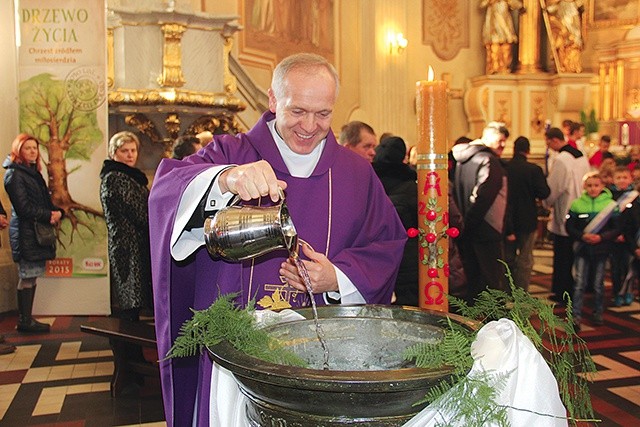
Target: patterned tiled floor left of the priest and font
63	379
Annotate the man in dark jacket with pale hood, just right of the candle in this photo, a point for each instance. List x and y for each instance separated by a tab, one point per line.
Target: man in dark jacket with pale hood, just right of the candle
480	190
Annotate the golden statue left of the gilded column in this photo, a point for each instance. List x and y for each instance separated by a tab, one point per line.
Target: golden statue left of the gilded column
498	33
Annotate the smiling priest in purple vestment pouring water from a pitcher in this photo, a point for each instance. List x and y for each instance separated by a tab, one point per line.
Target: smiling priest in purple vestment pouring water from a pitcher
336	203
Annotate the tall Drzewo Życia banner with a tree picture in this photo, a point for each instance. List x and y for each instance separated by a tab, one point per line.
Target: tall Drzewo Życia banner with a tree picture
62	102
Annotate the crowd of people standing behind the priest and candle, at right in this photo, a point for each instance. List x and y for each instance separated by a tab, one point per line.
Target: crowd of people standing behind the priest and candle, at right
499	202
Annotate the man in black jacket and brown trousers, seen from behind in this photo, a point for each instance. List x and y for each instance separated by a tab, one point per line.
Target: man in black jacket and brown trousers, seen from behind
526	185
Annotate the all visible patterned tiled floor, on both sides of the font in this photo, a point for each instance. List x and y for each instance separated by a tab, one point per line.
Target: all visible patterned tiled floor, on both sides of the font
62	378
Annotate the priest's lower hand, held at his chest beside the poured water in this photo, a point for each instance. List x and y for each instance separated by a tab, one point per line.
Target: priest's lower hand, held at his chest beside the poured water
321	272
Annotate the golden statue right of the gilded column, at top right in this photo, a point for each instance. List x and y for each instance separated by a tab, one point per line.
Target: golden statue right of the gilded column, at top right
565	28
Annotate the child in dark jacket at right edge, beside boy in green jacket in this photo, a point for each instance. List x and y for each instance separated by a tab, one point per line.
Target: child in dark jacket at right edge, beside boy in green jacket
620	257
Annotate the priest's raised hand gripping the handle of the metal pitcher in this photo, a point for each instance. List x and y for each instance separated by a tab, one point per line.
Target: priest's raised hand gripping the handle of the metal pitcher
252	181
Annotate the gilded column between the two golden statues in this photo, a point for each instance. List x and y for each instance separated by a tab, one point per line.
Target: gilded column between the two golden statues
529	38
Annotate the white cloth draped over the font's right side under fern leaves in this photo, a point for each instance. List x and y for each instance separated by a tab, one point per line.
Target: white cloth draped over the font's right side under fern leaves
502	348
